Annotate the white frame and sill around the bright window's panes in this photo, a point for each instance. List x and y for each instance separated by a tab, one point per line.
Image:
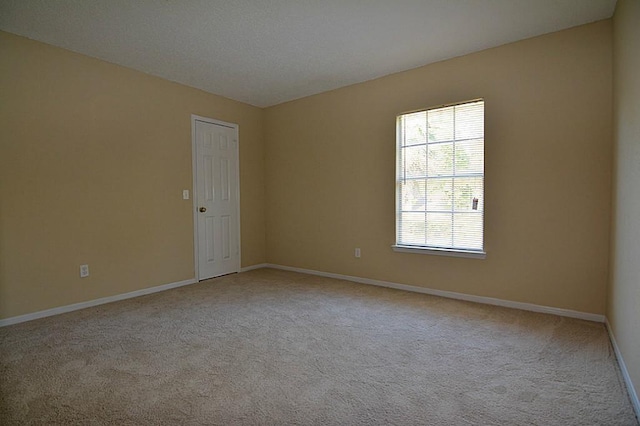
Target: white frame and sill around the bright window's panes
425	249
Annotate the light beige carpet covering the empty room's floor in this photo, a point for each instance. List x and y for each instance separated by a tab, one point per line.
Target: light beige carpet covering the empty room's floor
271	347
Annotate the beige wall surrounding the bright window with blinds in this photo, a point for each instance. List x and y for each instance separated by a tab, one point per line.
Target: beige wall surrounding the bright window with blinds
330	173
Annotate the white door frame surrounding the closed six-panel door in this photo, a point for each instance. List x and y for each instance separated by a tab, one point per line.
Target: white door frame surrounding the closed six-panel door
194	189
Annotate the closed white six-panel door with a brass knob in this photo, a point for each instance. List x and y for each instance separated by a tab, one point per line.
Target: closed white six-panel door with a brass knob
216	199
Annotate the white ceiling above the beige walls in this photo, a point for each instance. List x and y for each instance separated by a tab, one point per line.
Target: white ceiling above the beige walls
271	51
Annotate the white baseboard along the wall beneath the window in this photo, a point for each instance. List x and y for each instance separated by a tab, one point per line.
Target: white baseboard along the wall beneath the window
450	294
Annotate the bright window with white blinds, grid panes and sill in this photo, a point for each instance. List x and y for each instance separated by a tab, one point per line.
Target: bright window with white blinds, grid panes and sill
440	180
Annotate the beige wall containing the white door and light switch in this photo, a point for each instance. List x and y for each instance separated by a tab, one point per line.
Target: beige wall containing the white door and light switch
93	161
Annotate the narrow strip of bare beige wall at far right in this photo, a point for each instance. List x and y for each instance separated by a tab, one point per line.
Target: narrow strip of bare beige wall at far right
623	310
